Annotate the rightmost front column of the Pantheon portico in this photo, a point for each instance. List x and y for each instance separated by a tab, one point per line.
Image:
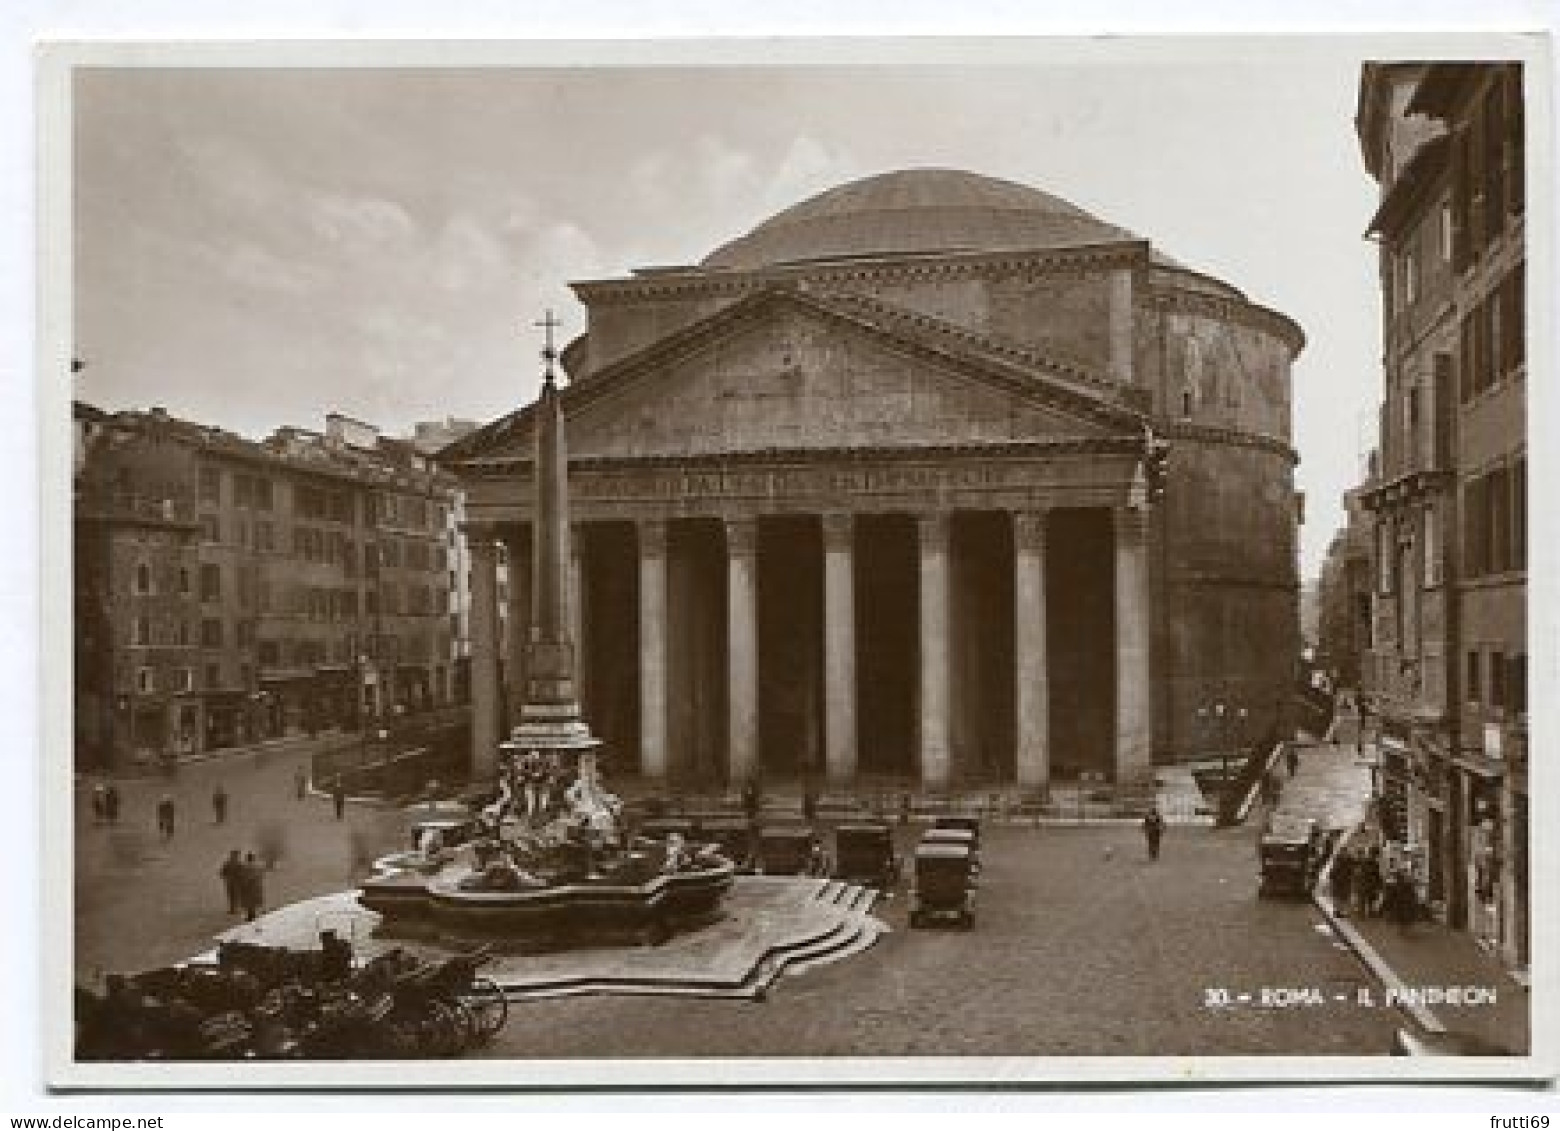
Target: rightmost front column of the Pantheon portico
1133	759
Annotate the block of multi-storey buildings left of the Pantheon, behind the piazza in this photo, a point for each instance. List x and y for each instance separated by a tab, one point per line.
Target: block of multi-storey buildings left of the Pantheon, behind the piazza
230	590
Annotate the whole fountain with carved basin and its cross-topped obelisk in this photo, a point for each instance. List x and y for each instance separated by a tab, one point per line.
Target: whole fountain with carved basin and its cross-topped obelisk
550	862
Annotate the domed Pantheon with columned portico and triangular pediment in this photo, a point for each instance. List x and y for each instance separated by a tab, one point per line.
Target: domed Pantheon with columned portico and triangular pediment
867	497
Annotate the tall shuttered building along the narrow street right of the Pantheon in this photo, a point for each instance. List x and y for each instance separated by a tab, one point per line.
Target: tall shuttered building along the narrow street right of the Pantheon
1448	661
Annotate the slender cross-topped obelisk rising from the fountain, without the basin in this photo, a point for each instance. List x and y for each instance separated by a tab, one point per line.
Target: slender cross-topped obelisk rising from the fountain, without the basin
550	715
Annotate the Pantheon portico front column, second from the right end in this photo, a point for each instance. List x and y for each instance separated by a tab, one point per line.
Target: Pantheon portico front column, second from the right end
1032	692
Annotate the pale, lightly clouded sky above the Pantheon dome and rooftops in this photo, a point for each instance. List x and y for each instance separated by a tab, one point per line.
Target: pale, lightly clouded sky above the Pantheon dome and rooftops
258	246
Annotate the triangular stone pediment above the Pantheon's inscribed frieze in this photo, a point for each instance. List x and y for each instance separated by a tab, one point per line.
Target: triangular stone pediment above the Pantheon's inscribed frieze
790	372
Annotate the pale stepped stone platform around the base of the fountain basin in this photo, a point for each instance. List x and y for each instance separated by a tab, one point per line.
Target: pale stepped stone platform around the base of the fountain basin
767	924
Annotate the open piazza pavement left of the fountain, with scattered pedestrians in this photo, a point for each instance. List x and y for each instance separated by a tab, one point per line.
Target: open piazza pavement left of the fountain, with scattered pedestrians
146	902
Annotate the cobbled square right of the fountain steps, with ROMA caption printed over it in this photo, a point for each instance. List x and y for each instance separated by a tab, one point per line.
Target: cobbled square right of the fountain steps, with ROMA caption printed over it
1082	946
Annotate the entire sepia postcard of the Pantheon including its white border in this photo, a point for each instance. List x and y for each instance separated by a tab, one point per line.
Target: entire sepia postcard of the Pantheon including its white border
798	561
